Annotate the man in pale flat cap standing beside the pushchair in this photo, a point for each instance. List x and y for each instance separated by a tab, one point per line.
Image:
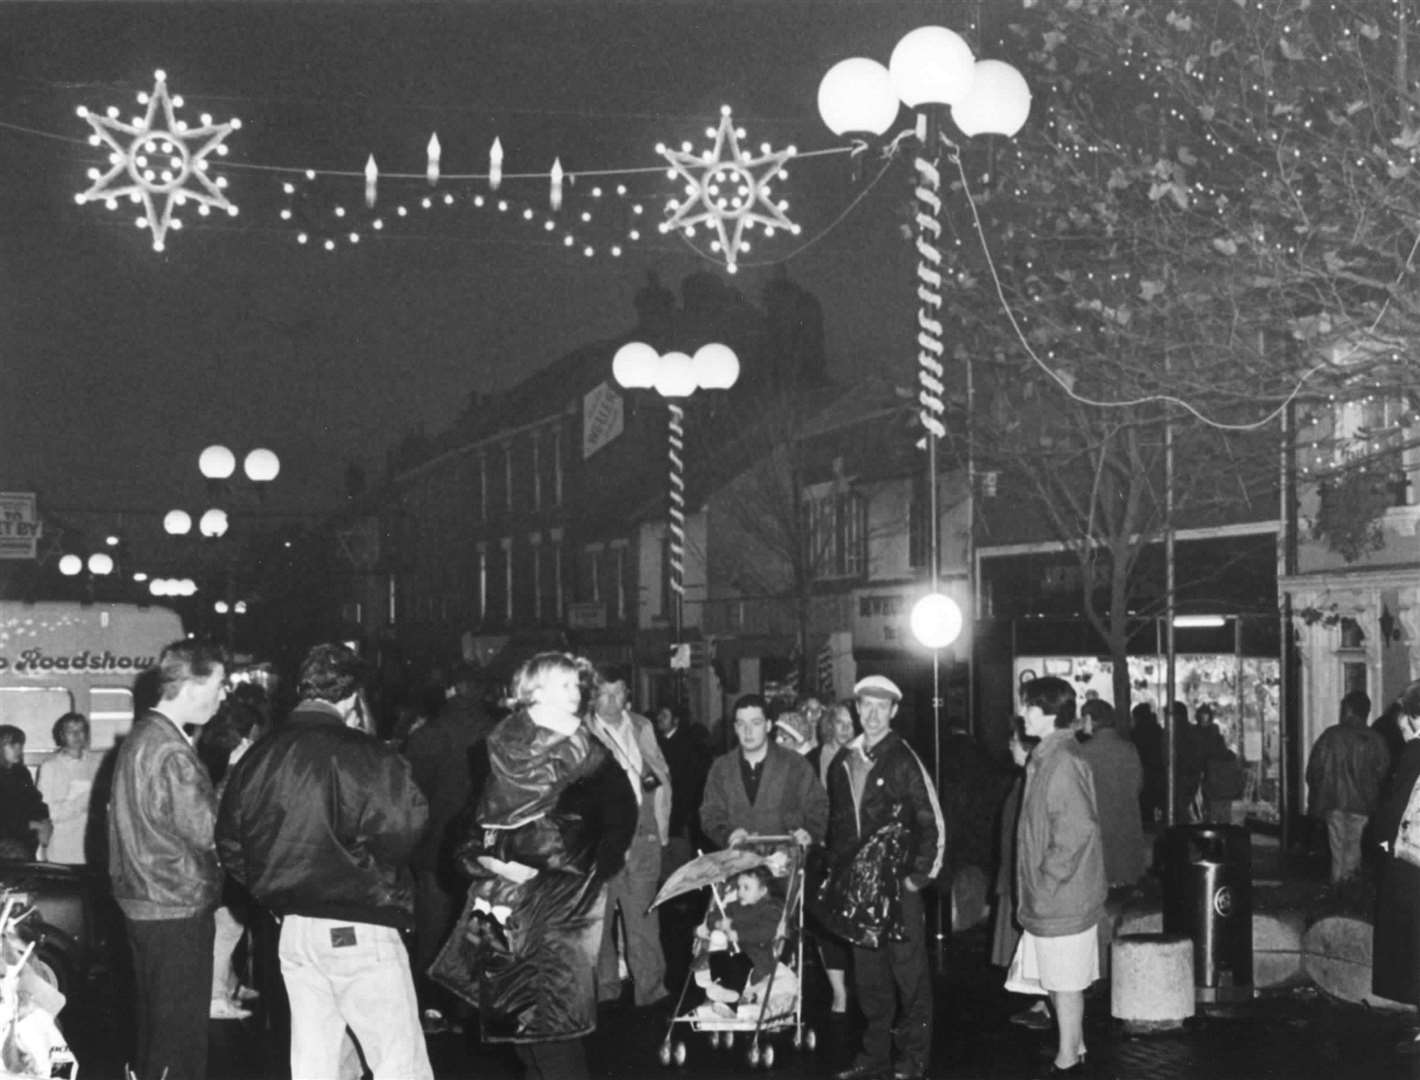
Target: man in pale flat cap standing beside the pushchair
874	781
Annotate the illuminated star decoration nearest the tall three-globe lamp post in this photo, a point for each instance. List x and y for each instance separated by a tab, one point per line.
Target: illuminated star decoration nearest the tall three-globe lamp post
728	189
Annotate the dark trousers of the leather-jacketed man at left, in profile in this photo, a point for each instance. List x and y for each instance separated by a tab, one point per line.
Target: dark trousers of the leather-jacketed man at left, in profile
173	996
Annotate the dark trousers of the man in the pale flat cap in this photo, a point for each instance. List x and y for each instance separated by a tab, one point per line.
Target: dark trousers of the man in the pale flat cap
885	974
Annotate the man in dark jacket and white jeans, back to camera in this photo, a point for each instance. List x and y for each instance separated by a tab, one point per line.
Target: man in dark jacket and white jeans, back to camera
319	822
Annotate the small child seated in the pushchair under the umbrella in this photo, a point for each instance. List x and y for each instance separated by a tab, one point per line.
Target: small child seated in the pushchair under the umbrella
738	963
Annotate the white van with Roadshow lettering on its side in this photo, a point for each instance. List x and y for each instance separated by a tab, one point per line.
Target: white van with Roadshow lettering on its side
72	658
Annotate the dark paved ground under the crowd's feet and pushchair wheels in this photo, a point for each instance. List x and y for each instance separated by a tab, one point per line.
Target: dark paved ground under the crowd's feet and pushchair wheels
1283	1035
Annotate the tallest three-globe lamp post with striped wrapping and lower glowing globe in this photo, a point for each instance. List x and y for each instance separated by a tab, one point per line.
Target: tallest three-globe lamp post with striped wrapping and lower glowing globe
934	72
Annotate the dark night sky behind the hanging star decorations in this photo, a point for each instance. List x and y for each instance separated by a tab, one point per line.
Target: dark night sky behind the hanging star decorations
120	364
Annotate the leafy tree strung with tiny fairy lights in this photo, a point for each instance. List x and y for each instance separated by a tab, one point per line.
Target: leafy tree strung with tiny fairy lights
1208	233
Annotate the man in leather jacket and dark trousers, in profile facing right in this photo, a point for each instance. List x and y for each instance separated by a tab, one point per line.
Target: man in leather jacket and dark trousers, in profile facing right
164	866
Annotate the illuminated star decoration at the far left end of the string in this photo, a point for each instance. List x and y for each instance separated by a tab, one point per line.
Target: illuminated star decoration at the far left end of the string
158	161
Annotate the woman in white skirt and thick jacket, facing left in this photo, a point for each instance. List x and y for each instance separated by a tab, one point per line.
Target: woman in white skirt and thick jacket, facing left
1060	871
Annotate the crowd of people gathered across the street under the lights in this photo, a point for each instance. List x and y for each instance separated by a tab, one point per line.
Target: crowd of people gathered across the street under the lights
496	864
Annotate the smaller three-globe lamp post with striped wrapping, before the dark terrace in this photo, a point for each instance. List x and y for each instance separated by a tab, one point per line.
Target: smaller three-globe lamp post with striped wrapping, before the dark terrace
677	377
